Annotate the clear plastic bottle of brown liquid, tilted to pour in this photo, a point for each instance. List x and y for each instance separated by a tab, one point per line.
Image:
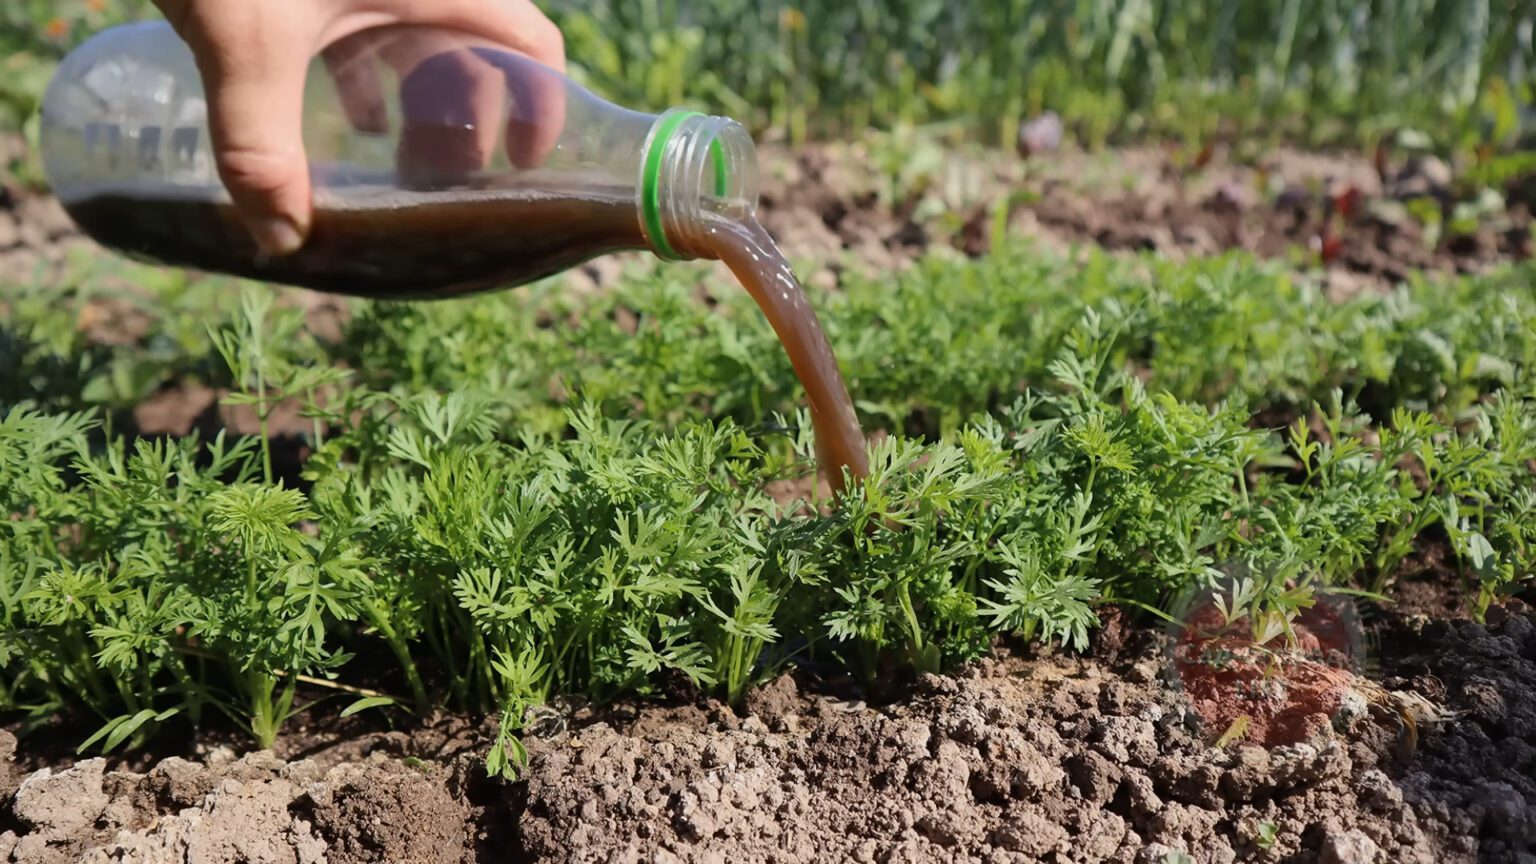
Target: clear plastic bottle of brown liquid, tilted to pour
423	184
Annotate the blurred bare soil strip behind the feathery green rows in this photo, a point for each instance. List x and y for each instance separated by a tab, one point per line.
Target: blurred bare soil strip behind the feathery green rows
1349	221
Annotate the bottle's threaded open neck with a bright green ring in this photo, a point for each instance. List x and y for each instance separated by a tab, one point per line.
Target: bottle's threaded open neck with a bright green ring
695	170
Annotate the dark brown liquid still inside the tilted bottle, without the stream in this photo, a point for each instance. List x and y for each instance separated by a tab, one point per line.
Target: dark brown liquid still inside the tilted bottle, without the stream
400	247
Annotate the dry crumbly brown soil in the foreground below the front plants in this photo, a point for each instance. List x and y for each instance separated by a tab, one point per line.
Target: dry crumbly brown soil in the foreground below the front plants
1018	759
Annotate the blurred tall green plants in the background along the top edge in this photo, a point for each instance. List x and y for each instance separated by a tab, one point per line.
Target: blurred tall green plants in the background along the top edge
1319	70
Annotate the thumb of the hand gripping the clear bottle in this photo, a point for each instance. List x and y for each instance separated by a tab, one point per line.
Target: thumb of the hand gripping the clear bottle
254	78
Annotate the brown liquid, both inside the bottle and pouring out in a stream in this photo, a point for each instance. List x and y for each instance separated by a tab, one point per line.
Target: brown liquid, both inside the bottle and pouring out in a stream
400	248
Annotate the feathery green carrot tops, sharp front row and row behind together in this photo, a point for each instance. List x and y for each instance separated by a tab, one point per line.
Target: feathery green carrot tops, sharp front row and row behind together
498	540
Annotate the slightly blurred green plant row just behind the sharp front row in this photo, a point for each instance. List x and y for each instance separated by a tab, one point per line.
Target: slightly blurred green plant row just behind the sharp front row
922	351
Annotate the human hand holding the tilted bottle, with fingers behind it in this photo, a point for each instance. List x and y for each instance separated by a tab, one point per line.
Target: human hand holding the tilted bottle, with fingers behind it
254	59
